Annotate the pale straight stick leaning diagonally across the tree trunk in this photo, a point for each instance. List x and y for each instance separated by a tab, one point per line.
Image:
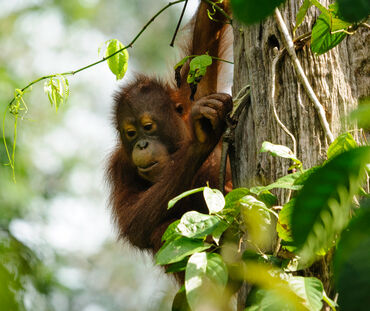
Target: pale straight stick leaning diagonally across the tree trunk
302	77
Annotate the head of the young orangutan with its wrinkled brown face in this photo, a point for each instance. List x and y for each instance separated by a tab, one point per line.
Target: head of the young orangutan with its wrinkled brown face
150	127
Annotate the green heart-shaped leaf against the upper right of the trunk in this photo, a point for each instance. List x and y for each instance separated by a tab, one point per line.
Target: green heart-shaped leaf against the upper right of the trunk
322	39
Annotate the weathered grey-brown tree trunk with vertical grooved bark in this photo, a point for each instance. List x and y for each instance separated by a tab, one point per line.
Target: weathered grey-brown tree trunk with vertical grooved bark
338	78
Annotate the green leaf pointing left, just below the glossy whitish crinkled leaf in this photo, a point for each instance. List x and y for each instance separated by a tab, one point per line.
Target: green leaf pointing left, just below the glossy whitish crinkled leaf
178	249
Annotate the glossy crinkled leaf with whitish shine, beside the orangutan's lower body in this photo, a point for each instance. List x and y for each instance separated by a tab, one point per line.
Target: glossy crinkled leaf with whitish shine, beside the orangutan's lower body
196	225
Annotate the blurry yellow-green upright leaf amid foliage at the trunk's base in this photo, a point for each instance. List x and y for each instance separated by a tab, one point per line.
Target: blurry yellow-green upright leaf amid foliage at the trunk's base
257	221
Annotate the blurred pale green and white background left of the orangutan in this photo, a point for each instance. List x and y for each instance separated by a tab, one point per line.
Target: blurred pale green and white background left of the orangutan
58	247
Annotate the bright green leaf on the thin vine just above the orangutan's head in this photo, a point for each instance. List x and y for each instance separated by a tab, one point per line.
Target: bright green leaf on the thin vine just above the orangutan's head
117	63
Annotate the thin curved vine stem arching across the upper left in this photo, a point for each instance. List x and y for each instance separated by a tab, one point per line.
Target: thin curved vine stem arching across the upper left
73	72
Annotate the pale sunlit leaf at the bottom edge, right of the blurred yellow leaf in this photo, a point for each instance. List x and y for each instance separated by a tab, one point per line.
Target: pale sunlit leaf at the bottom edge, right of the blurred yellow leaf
310	289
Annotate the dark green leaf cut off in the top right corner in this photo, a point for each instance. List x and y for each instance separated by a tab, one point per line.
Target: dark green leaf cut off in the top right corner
354	10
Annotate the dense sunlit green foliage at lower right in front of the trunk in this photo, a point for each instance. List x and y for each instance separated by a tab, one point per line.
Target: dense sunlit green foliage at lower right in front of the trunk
309	226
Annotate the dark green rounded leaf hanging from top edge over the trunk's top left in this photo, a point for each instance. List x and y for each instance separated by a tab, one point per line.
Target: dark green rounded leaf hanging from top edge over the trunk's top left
253	11
